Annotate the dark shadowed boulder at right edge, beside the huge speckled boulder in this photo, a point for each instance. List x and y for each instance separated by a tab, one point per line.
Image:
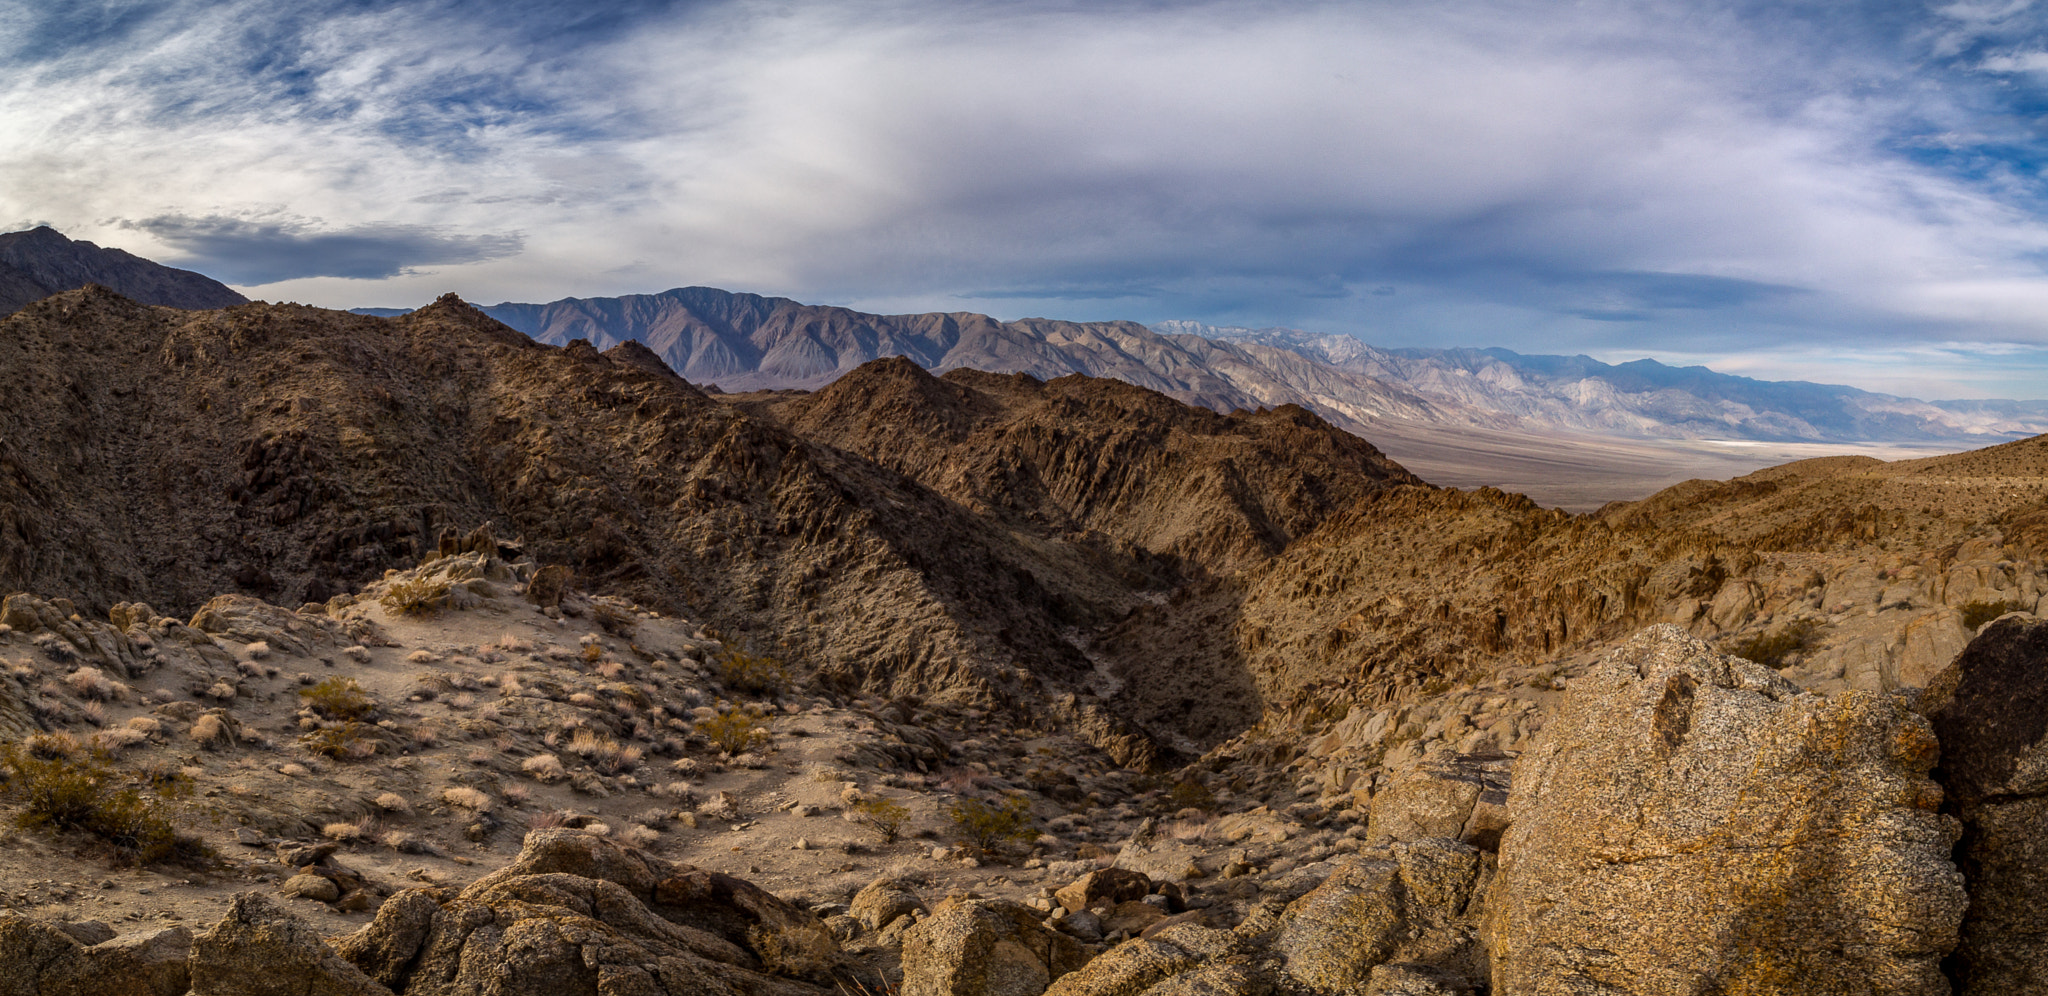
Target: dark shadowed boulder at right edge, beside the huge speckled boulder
1990	708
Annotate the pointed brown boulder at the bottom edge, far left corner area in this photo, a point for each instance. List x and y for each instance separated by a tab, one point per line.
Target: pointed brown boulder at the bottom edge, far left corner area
261	950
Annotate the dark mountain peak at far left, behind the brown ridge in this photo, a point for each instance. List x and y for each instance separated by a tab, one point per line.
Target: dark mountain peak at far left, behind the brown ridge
40	263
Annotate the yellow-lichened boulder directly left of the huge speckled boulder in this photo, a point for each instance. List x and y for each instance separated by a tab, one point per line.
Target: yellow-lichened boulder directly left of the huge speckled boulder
1400	903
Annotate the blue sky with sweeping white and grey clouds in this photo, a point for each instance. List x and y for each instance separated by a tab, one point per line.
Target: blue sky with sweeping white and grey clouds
1836	192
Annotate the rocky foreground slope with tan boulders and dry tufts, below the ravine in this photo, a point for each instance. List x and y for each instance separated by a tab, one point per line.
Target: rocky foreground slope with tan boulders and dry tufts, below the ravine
1678	823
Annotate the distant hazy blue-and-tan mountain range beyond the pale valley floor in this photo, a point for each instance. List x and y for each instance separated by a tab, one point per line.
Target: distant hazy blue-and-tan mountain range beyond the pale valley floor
744	343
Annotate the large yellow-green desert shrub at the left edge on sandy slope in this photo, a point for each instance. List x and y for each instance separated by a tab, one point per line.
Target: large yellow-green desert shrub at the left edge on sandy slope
91	798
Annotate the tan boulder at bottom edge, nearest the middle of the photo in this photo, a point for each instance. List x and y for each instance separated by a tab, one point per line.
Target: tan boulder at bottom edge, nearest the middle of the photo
986	948
